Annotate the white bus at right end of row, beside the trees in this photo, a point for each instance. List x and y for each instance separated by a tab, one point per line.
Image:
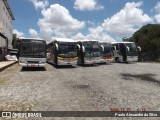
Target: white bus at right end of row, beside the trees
125	51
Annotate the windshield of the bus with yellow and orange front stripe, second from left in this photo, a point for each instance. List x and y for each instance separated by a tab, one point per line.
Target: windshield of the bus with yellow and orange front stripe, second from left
67	49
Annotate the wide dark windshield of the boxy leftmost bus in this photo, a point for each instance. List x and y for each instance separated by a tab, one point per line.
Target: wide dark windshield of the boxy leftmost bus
31	49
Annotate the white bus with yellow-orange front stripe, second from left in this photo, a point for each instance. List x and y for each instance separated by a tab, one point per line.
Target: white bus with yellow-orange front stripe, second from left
62	51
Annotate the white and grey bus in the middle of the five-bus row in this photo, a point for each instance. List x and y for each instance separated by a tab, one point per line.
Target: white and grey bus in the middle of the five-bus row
88	52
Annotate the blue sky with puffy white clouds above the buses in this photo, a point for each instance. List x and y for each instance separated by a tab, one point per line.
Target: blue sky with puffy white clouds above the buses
104	20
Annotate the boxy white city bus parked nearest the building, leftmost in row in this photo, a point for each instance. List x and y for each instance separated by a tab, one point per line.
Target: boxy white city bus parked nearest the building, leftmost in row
32	52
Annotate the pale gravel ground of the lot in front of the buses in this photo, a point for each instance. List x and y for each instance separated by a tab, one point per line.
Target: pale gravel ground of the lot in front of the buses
88	88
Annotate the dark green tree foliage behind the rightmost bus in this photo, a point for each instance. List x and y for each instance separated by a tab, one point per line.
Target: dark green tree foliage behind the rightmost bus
148	38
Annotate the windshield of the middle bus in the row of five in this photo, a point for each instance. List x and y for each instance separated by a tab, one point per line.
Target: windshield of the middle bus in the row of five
91	49
